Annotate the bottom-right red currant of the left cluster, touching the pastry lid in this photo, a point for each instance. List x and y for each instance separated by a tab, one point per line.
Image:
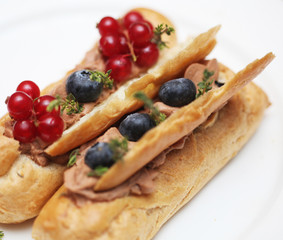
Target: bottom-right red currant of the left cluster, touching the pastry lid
50	127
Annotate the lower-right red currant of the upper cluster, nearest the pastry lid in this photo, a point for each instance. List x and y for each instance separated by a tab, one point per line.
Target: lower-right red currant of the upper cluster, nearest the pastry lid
147	56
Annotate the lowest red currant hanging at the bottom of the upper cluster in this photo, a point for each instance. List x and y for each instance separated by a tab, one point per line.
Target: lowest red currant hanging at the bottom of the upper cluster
121	67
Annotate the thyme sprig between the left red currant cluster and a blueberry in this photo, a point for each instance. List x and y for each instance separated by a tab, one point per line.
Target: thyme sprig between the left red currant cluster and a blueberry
69	104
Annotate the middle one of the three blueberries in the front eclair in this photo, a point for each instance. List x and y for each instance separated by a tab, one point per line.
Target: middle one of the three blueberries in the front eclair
135	125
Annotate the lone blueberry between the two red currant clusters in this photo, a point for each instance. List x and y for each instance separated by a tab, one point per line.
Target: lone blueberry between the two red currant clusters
83	89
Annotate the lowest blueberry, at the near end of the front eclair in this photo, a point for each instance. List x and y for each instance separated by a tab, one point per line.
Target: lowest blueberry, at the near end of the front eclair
99	154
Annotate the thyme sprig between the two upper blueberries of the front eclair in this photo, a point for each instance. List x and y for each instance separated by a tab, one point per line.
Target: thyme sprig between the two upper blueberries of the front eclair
155	114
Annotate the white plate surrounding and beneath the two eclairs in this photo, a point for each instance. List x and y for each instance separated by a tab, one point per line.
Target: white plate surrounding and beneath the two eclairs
42	40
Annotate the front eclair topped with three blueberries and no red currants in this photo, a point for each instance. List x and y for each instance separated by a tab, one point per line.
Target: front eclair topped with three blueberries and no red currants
166	154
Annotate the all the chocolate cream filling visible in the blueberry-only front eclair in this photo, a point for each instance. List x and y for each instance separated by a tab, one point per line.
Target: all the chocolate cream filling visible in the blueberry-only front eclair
80	186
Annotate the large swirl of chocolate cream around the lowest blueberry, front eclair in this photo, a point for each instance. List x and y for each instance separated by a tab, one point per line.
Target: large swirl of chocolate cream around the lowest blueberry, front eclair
80	186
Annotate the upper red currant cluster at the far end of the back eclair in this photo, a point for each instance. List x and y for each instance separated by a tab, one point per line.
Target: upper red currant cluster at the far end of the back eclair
120	37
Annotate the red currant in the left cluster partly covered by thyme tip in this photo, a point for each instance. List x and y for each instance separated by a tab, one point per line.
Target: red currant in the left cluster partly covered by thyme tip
41	103
